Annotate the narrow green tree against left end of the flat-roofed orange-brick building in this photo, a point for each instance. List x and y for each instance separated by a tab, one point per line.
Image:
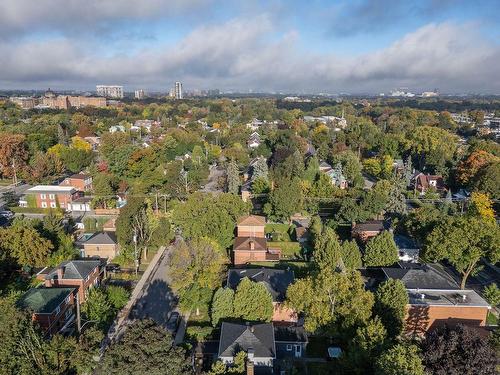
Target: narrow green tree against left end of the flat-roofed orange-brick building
391	300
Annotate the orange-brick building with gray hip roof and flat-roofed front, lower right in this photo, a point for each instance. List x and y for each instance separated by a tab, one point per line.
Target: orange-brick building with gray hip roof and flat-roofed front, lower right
436	299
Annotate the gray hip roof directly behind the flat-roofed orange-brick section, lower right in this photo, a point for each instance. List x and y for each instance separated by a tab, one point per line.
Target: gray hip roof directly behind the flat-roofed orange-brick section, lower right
421	277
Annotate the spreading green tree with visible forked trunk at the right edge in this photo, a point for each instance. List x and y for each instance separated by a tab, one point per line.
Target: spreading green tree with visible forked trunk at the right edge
463	241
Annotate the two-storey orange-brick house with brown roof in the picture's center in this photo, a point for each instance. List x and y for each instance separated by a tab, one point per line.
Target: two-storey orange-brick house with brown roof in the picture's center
250	245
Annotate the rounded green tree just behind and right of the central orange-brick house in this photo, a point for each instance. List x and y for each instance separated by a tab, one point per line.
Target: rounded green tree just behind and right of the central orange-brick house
284	200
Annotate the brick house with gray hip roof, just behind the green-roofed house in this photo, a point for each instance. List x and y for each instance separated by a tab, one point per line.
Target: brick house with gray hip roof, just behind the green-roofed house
80	274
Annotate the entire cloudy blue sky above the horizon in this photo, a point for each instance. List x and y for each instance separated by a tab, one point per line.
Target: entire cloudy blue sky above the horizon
310	46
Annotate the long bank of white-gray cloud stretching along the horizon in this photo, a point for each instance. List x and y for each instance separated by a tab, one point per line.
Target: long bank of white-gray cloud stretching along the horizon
240	54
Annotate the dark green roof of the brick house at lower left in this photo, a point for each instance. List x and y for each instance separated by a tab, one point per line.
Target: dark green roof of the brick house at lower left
44	300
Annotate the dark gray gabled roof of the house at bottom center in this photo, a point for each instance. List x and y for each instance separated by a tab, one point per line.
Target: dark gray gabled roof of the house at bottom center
236	337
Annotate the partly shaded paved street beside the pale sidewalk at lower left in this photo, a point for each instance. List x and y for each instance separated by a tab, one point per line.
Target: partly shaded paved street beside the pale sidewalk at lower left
157	299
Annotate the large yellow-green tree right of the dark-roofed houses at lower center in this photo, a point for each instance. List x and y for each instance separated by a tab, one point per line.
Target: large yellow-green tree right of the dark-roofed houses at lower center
331	300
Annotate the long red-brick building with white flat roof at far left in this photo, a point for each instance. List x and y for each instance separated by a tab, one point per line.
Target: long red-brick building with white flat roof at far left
50	196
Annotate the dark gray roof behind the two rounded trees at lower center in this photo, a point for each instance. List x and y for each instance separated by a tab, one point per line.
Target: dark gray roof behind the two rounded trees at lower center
275	280
